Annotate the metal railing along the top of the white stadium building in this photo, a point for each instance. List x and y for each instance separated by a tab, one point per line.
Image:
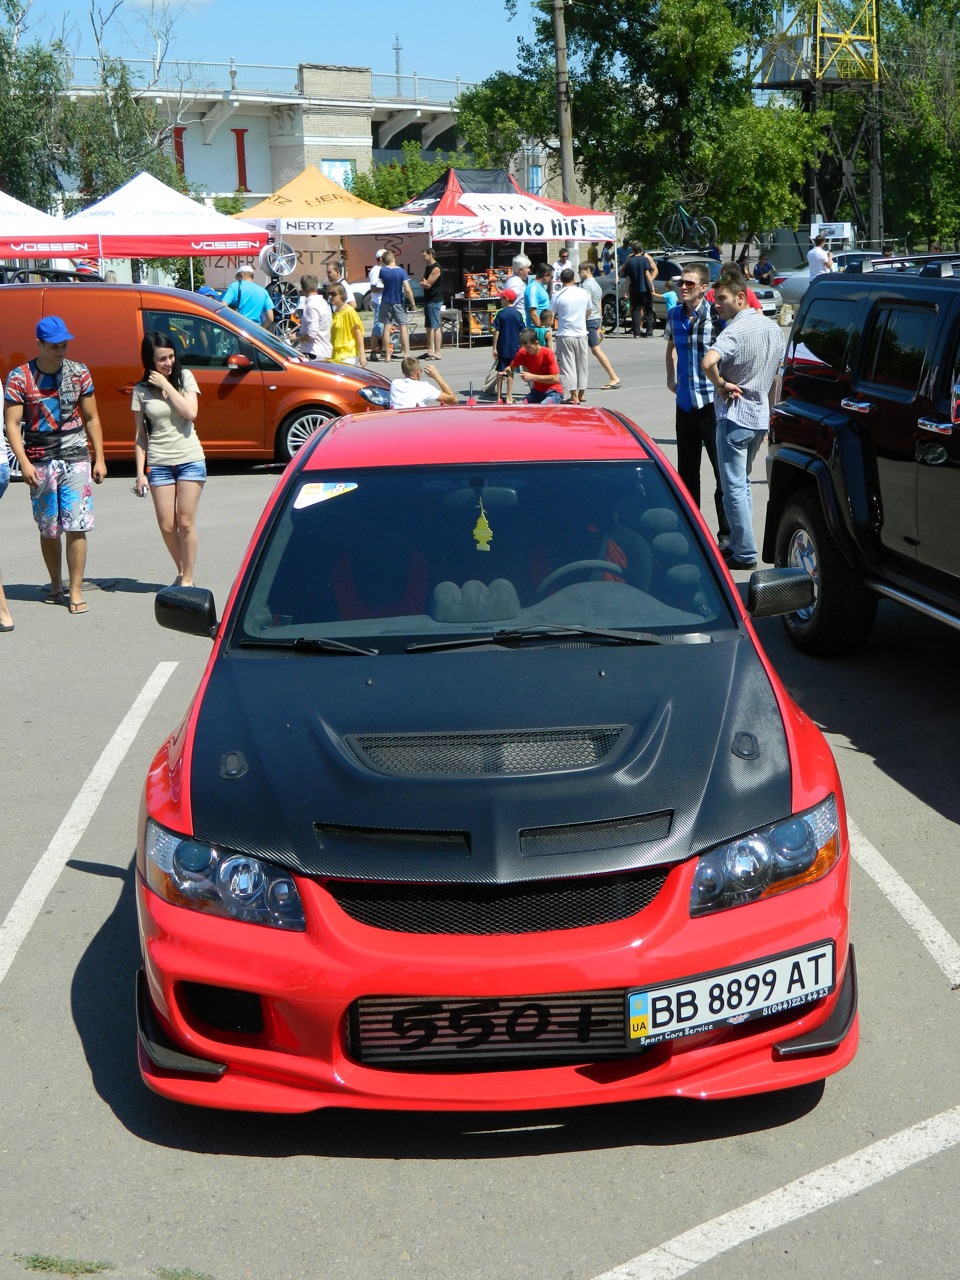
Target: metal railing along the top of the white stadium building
179	76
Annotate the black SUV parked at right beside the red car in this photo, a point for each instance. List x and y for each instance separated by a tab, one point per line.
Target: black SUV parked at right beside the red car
865	461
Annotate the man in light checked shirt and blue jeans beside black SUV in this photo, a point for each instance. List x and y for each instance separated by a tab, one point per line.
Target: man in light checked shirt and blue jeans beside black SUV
742	365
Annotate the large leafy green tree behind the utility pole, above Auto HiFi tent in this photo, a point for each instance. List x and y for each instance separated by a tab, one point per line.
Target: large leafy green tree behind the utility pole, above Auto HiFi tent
656	85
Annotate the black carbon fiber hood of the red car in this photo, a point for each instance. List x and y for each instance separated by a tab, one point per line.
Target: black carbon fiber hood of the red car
287	764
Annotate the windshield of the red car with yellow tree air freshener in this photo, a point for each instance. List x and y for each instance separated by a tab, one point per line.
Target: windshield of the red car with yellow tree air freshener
390	557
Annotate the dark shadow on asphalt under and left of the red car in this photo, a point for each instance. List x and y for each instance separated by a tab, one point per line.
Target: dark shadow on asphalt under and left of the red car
102	1000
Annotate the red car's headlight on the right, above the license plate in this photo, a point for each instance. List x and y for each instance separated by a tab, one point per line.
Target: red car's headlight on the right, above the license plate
787	856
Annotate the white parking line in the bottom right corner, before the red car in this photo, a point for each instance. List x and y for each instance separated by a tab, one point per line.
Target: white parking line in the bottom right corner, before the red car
797	1200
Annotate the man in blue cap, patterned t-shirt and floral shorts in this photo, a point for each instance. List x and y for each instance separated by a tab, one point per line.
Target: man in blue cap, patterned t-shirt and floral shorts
49	413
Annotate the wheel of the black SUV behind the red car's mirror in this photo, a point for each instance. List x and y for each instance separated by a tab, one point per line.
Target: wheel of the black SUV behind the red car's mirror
842	616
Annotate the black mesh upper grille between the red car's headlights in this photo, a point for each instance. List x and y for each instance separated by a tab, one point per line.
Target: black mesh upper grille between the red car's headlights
536	907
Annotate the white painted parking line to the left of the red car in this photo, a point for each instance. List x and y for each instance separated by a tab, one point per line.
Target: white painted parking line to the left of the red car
42	880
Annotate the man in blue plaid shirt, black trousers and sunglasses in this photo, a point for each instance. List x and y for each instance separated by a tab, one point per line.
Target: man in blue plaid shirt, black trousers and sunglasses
691	331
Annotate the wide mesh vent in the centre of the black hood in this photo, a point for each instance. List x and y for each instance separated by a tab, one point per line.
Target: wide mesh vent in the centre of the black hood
541	751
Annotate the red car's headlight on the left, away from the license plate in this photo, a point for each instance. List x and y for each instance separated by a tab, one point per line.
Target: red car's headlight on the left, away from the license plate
220	881
